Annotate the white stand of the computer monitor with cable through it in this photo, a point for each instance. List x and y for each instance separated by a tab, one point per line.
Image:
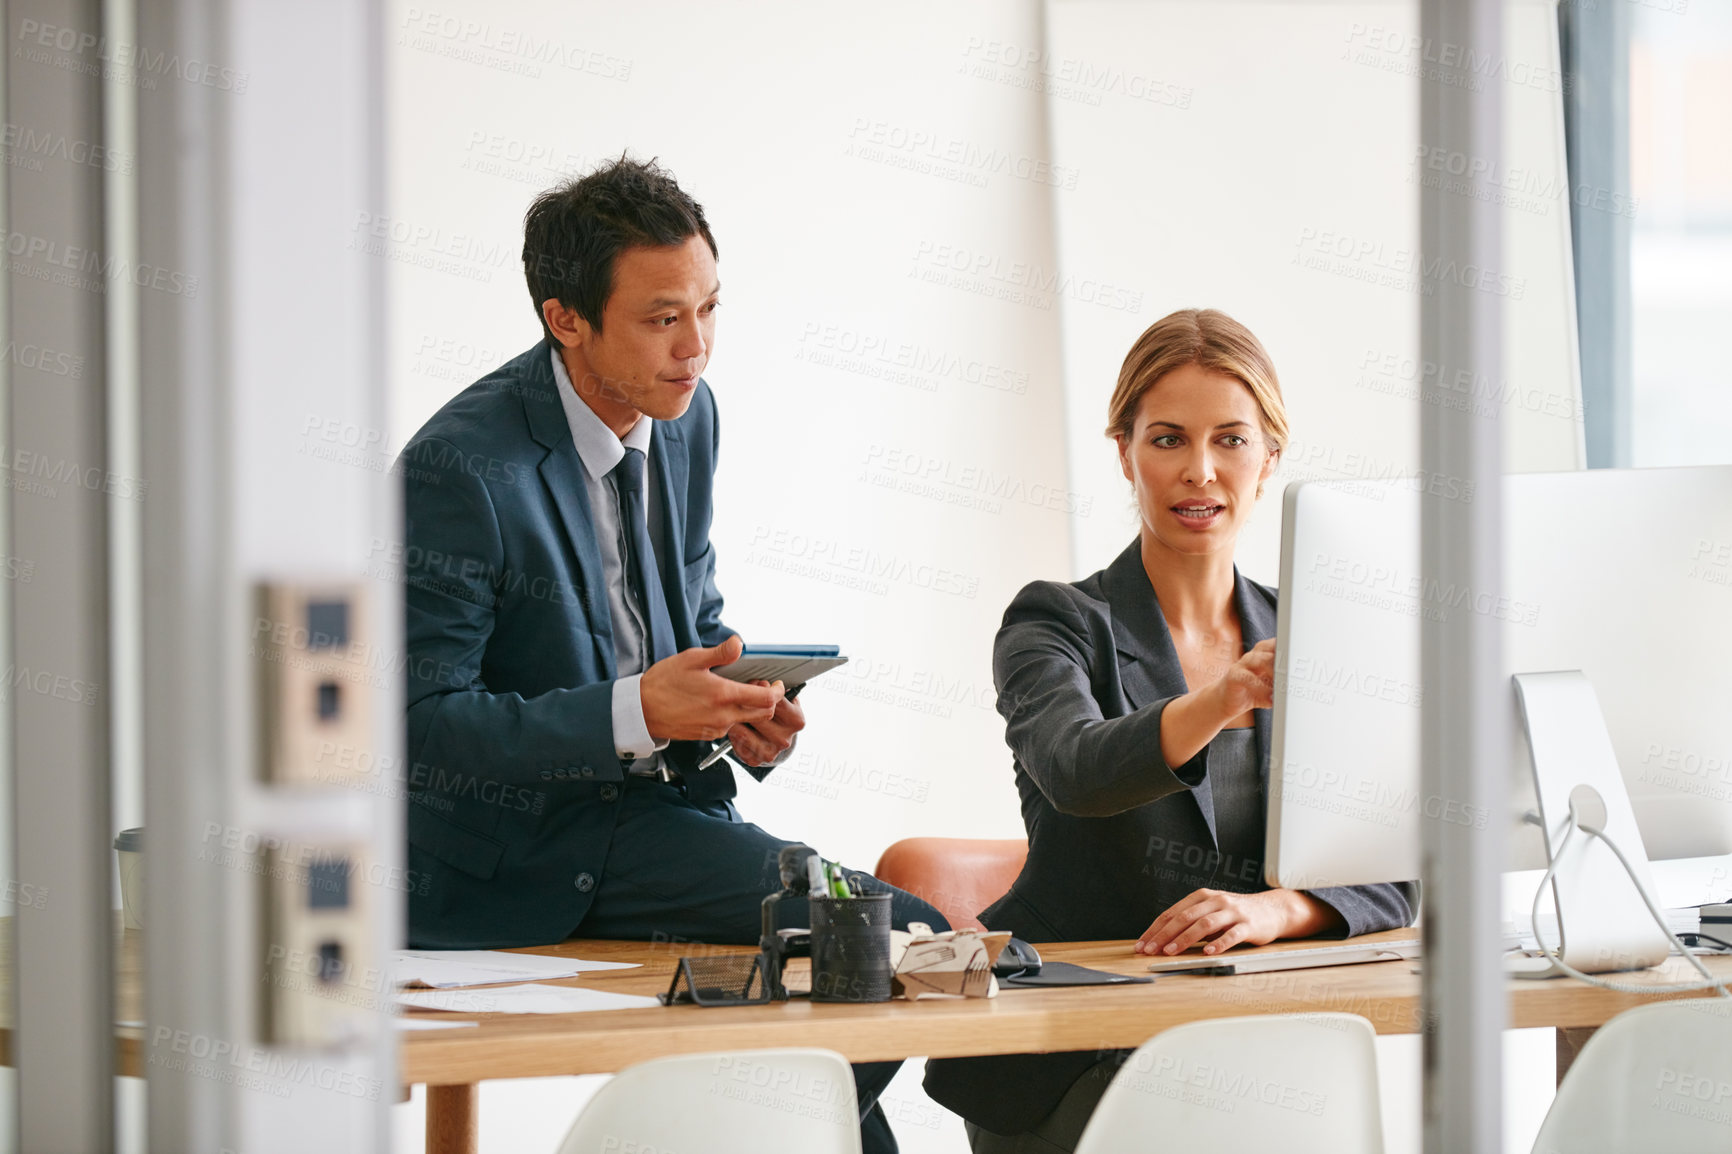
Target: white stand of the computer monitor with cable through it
1603	921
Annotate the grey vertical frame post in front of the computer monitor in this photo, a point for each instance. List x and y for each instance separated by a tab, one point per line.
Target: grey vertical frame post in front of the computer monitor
1468	704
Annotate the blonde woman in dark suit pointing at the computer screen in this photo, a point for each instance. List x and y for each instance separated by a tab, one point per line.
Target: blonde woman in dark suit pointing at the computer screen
1137	704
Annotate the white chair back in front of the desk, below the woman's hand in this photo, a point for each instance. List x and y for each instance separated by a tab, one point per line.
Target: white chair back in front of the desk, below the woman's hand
1298	1084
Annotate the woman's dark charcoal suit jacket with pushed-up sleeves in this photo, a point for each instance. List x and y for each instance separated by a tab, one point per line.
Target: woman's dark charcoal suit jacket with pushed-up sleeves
1116	836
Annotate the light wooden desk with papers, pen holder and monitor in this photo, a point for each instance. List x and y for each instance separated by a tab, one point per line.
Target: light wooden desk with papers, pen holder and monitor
1019	1021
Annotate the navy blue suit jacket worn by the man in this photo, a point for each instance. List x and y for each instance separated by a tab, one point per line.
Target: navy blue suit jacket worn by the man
512	760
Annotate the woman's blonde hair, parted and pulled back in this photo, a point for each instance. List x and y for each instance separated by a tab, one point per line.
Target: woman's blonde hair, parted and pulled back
1213	340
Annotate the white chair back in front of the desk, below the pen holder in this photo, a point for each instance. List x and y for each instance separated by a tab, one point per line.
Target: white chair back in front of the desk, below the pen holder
725	1105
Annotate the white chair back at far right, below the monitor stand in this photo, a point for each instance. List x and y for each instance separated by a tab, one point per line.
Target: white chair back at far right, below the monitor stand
1655	1079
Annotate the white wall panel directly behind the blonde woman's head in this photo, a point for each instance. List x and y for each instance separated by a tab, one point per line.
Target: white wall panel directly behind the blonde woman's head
1263	159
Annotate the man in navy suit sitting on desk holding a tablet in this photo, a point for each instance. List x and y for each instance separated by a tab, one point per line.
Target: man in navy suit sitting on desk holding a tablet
564	618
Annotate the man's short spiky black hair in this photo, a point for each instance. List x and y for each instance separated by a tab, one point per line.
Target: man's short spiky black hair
574	233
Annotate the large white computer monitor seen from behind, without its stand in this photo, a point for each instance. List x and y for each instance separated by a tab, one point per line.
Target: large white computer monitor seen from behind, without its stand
1624	574
